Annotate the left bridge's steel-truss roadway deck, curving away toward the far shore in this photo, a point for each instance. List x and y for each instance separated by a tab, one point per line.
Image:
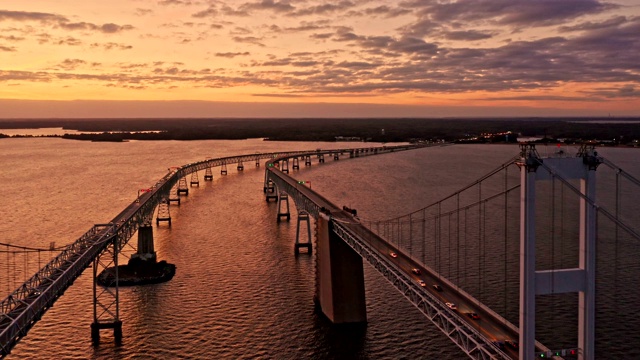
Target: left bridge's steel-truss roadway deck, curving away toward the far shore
25	306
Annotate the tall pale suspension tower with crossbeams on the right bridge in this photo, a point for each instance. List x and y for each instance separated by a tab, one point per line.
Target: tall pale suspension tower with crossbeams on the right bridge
558	281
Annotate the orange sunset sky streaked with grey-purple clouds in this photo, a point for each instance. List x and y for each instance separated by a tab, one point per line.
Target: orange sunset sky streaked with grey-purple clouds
358	58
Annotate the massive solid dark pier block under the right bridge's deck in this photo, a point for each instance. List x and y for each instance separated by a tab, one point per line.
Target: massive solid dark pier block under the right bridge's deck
339	277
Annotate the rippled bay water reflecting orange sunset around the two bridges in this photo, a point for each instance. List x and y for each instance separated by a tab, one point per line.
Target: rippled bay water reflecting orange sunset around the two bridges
239	292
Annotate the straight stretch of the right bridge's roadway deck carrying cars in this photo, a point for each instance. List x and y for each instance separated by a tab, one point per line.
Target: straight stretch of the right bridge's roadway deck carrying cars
485	337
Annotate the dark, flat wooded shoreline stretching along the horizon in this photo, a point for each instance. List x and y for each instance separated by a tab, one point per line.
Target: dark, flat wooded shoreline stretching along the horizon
309	129
